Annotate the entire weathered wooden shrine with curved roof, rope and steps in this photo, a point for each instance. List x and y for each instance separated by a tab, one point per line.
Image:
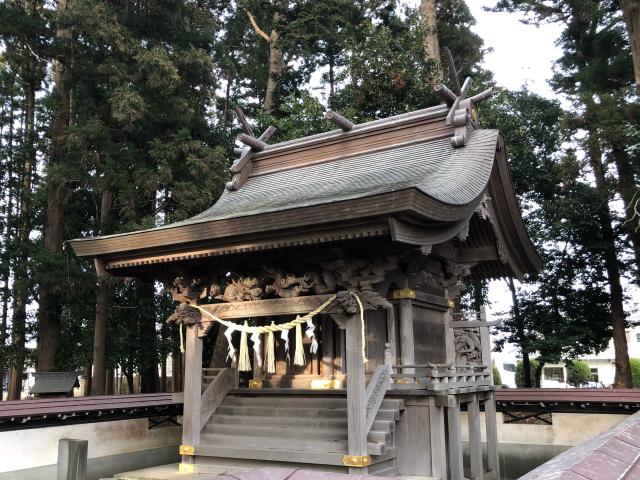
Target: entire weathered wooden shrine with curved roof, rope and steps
332	264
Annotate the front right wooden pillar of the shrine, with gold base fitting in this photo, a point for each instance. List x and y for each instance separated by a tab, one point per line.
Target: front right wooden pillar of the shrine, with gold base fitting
356	401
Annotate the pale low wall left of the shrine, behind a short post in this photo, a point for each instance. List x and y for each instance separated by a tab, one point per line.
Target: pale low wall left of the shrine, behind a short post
114	447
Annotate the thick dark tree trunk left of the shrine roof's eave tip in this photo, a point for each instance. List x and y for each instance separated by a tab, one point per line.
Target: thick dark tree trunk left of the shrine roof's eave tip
49	322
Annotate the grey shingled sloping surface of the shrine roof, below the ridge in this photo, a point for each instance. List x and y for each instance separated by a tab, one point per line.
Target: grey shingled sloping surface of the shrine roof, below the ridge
448	175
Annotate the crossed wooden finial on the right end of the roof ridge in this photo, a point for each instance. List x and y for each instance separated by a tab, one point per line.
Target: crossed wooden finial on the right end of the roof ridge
463	110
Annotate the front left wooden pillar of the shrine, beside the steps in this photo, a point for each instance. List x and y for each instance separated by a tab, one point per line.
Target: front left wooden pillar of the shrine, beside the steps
192	394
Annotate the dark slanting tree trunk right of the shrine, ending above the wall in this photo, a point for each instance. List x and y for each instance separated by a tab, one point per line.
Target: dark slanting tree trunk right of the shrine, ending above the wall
623	369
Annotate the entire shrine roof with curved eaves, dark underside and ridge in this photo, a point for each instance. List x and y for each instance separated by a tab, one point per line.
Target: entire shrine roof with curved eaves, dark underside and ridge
415	180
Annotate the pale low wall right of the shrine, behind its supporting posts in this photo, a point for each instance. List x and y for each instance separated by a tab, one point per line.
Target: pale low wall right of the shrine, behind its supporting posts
524	447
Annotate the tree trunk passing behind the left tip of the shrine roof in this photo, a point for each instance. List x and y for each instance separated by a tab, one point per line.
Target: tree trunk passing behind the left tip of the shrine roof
102	305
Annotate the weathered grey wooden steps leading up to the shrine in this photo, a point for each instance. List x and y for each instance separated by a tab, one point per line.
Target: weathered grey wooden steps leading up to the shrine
308	428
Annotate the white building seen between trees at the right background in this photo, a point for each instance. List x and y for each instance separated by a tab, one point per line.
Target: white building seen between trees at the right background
555	375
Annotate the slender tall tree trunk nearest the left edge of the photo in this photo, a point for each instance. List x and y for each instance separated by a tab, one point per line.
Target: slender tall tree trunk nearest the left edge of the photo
21	280
